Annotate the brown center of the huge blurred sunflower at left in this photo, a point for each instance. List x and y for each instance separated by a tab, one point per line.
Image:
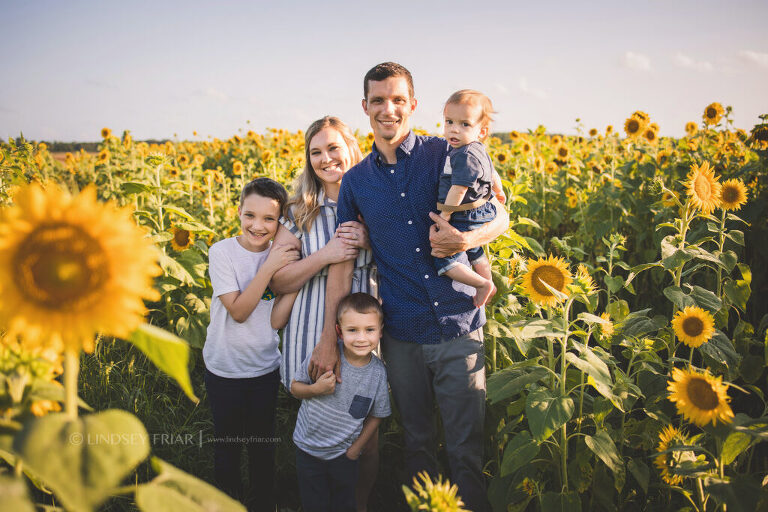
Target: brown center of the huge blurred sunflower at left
60	267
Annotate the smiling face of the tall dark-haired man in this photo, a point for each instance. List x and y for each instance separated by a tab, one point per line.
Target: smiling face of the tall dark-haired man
389	106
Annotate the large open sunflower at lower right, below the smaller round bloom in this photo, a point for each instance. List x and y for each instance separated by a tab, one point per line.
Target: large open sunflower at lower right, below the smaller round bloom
700	397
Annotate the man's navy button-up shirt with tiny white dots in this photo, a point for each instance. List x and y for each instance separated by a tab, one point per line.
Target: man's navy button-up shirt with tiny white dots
395	201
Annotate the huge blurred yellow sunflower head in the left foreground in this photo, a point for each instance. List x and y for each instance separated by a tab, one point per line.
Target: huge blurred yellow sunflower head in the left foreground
71	267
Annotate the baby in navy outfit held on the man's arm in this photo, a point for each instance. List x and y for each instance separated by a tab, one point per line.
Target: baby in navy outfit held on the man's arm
466	184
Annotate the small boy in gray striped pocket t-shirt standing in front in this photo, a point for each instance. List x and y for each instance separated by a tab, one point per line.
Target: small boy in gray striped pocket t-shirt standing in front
336	420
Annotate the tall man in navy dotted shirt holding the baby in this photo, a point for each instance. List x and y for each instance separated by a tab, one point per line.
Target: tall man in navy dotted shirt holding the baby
432	342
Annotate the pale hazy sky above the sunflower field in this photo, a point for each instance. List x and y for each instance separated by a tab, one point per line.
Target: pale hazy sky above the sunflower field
164	69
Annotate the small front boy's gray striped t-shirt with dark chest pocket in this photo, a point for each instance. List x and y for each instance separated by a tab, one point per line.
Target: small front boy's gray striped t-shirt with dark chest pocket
327	425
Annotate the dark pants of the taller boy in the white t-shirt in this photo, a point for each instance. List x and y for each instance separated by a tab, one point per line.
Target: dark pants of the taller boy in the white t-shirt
244	409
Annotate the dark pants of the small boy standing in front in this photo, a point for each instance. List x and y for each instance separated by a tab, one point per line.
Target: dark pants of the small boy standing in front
326	485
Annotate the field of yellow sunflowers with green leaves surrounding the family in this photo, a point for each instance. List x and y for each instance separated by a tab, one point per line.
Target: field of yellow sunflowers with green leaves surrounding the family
626	347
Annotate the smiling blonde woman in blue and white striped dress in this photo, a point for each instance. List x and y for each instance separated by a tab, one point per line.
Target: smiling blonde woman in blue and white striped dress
330	150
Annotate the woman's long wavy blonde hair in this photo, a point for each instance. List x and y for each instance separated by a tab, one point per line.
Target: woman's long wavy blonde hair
308	186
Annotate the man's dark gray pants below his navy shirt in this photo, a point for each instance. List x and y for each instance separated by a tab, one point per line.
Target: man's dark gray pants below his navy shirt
453	372
